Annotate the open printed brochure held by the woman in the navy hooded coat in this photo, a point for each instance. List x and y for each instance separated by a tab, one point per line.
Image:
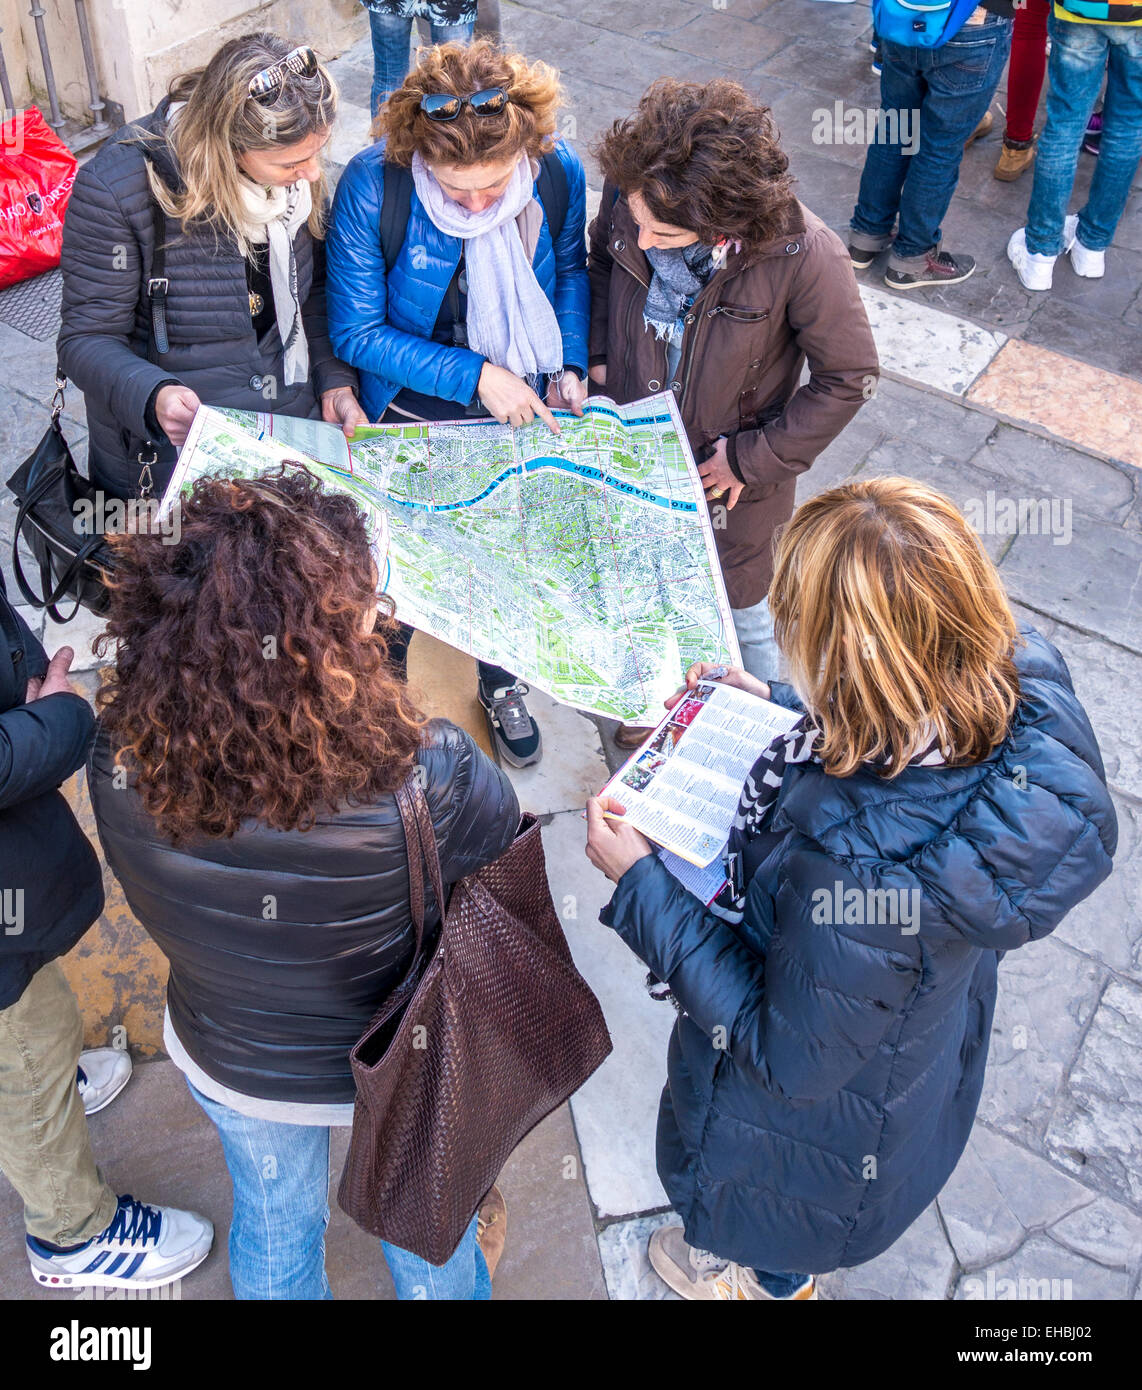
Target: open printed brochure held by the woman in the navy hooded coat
683	787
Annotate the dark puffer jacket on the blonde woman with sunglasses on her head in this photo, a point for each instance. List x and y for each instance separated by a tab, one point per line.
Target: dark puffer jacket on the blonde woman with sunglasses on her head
108	255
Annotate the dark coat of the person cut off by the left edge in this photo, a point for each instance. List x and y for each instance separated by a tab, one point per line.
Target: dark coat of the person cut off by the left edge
49	874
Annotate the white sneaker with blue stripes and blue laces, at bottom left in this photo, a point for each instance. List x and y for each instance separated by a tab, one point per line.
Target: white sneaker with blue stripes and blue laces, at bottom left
145	1248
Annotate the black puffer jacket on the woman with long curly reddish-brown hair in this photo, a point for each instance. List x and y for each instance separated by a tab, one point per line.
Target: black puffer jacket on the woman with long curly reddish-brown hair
283	946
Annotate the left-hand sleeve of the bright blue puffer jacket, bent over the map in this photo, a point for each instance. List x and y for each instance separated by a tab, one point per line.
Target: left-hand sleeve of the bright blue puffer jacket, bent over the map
358	298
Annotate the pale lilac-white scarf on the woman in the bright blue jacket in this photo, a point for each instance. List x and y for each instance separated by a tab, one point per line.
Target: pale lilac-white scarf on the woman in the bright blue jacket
511	319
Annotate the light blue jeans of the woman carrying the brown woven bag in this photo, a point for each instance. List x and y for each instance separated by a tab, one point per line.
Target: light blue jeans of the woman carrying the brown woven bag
281	1207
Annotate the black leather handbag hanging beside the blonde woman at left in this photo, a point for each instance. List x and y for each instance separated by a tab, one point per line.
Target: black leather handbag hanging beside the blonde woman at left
58	518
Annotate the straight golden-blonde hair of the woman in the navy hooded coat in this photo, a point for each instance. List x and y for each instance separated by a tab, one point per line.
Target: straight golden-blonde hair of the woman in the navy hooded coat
895	625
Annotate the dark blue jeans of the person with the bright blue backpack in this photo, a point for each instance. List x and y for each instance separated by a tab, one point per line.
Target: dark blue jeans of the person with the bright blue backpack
944	92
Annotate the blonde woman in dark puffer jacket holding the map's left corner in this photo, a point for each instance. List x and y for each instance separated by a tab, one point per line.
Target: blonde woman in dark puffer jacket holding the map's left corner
194	265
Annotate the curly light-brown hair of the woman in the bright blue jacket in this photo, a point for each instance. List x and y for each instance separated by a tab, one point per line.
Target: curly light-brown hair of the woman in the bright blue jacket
527	123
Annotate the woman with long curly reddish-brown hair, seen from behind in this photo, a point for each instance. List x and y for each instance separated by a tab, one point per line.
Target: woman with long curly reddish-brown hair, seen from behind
252	739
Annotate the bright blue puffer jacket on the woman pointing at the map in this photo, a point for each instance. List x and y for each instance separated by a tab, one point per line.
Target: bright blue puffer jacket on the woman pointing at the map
383	325
